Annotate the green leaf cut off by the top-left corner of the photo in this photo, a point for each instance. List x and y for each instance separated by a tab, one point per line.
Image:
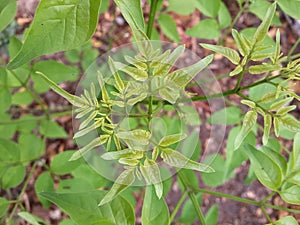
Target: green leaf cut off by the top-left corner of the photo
8	9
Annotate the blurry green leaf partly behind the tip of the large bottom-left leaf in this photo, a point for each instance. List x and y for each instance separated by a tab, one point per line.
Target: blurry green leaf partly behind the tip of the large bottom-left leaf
44	183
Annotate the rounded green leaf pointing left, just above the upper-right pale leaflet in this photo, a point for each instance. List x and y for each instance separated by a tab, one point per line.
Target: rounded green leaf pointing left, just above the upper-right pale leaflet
207	29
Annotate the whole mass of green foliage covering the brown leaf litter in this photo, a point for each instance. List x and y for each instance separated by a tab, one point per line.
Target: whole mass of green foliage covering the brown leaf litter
141	89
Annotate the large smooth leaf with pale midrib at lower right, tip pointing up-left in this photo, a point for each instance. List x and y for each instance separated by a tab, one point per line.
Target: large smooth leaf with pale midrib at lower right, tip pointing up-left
266	170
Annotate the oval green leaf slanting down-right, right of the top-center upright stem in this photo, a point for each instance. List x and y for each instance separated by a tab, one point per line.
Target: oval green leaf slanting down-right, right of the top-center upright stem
169	28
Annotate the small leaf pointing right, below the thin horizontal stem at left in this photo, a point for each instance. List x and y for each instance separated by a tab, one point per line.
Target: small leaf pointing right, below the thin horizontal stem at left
52	130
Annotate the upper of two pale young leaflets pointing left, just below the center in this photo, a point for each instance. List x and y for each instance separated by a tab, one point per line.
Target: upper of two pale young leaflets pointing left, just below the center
141	136
